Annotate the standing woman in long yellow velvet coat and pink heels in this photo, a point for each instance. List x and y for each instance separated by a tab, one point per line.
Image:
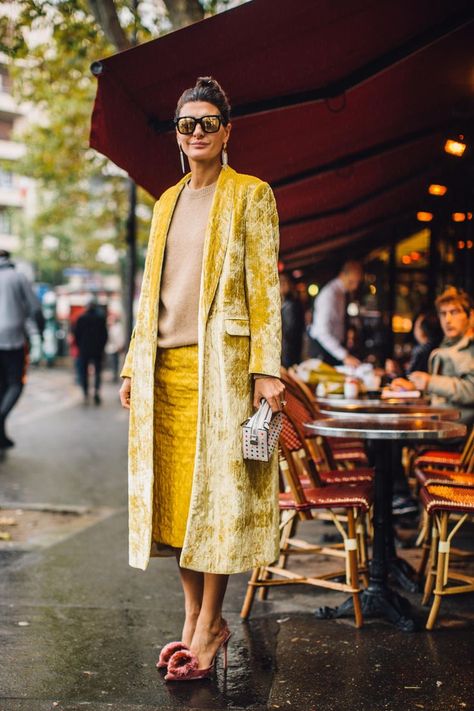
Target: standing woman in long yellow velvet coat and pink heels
187	403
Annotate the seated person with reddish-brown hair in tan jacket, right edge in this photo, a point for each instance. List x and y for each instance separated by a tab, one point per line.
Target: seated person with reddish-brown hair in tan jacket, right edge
450	379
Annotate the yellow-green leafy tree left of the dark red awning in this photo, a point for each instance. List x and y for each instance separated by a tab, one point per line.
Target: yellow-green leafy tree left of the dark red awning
83	198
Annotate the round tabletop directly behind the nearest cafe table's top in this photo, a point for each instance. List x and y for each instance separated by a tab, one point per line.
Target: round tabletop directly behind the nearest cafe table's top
390	412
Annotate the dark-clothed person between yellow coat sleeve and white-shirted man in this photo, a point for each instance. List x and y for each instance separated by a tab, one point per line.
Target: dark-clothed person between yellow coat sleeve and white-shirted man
293	322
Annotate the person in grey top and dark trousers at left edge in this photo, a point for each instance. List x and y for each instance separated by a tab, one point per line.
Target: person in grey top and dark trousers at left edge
17	303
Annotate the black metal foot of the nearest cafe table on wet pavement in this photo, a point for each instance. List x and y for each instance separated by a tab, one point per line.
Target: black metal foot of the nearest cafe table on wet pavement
380	603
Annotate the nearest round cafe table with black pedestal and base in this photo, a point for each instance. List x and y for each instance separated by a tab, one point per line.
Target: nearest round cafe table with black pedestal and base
379	600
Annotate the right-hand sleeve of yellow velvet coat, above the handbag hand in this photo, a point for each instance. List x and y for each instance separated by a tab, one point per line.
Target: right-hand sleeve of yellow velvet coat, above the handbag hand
262	283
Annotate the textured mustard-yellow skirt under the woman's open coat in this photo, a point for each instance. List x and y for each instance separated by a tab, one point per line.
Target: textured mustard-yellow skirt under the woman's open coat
175	424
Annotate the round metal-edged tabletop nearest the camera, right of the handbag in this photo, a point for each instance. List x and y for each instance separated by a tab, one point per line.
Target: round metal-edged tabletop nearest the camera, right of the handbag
397	428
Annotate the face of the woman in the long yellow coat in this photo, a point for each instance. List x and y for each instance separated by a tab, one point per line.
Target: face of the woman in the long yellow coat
200	146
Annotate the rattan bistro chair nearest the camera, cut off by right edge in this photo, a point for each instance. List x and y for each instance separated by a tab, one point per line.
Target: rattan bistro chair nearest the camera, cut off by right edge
442	502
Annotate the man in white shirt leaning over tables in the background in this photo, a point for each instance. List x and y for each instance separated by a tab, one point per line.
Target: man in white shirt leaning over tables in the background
327	331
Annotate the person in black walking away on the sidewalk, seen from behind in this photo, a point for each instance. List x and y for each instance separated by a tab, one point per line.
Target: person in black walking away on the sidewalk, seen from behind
90	335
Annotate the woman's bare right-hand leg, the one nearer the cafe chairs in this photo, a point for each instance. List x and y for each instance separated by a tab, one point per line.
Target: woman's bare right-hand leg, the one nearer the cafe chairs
208	634
